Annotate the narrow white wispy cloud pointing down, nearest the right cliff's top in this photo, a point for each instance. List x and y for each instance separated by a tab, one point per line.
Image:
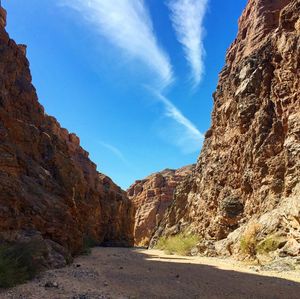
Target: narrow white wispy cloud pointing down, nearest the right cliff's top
187	18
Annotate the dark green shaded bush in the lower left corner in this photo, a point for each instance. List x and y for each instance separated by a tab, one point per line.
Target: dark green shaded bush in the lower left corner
17	264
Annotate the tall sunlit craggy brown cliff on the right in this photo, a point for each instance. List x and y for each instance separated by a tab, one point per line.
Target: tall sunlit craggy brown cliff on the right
248	172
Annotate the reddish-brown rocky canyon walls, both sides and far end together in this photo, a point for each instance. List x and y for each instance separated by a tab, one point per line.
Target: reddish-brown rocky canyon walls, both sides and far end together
244	188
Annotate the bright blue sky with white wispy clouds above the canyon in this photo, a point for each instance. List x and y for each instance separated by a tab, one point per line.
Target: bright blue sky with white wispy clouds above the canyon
132	78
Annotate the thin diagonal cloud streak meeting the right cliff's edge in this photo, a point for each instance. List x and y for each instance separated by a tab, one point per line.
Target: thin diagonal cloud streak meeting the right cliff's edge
188	138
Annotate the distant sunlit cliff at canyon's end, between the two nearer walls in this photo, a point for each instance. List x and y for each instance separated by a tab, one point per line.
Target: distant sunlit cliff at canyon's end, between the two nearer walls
151	197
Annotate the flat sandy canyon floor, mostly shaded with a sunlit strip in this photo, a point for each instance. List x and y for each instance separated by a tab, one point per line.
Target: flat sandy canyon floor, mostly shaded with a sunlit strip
137	273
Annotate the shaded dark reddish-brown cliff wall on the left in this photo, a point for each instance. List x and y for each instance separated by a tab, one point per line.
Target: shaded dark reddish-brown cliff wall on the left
49	187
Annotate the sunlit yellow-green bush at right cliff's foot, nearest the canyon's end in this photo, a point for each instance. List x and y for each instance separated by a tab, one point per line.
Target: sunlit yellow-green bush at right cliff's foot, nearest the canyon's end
181	244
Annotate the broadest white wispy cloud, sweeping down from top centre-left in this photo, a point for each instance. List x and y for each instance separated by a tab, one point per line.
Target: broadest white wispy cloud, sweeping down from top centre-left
127	24
